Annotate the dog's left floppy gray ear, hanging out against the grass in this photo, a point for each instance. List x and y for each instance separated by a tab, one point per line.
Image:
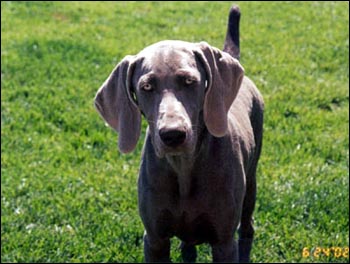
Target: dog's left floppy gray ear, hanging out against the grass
115	104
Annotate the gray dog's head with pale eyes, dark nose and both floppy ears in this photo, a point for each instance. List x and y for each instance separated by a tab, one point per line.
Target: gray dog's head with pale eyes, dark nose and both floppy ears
172	83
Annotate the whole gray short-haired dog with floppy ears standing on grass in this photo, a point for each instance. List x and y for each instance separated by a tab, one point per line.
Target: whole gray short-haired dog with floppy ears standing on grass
197	176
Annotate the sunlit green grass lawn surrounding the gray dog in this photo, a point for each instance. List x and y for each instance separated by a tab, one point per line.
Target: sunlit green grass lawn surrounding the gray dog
68	195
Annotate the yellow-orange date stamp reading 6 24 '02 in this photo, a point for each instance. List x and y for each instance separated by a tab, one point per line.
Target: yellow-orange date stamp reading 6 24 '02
318	252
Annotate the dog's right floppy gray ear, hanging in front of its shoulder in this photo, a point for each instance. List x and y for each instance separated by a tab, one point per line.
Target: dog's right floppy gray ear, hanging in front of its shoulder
224	78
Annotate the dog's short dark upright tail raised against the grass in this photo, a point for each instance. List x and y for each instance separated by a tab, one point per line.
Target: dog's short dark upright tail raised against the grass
231	45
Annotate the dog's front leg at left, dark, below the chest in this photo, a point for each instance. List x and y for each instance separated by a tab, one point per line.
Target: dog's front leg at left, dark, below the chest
156	250
